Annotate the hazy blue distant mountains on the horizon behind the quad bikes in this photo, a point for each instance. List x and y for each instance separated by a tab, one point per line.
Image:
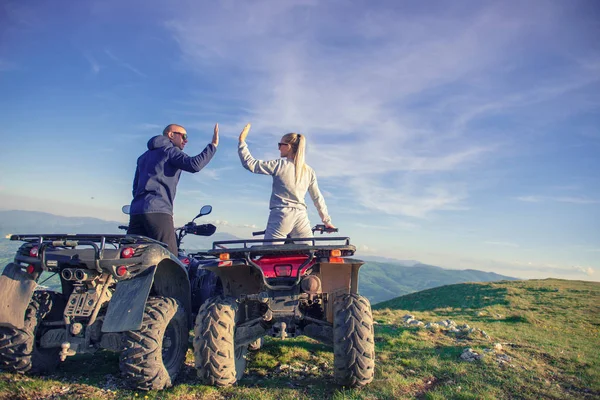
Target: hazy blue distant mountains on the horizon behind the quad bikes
380	278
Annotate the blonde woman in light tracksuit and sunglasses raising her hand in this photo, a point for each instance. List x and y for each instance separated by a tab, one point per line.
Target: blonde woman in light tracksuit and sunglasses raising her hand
292	178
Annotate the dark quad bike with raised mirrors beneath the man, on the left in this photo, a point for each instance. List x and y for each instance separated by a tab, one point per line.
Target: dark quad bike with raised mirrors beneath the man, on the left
124	293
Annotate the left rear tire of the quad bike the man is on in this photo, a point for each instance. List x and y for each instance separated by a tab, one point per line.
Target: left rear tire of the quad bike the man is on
19	348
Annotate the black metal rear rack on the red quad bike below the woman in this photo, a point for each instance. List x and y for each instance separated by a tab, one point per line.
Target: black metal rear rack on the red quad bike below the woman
308	246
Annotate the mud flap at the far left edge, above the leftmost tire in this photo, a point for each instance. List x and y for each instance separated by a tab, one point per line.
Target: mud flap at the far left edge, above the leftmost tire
16	289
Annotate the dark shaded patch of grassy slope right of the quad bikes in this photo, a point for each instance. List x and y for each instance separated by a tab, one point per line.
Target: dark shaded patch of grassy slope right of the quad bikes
460	296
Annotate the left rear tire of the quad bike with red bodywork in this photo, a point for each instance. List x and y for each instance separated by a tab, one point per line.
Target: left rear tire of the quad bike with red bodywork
218	361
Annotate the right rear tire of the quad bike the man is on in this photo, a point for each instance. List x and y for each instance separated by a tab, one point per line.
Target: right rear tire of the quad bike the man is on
154	355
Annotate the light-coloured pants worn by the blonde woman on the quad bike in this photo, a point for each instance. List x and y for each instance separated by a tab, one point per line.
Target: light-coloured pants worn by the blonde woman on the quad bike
284	221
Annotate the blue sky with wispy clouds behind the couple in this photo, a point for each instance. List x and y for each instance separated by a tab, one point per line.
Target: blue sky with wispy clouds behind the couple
461	134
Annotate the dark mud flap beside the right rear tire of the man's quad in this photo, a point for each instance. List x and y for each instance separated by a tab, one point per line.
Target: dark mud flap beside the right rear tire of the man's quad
126	307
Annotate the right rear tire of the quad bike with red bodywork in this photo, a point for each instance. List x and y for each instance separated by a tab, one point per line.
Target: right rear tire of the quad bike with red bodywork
353	341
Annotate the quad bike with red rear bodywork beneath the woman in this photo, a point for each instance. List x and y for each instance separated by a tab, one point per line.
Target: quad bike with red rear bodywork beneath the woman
271	288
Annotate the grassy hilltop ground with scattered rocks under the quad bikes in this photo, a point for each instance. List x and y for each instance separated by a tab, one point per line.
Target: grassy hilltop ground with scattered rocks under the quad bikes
537	339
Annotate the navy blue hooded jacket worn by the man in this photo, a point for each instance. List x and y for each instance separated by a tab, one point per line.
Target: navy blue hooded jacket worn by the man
157	175
